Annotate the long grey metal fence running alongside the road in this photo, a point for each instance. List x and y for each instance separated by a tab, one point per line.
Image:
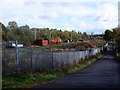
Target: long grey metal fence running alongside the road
35	60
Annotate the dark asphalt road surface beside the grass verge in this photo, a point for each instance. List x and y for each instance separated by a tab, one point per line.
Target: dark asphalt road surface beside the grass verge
104	73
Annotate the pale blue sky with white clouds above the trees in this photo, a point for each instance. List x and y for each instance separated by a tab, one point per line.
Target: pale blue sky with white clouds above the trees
91	16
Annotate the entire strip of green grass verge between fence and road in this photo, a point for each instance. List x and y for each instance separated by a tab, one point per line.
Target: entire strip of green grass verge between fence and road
21	80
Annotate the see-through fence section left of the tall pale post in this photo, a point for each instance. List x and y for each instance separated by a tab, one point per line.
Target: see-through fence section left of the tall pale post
8	60
